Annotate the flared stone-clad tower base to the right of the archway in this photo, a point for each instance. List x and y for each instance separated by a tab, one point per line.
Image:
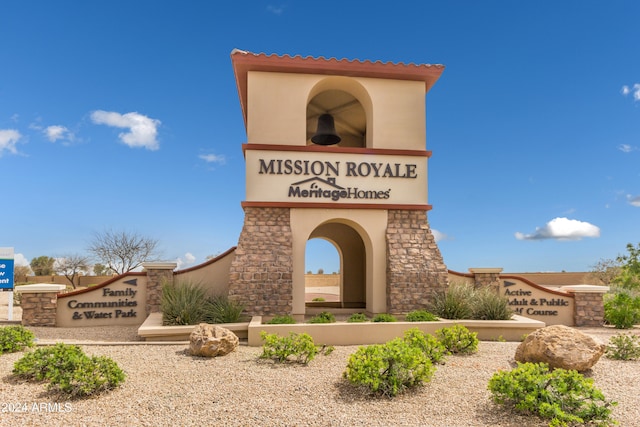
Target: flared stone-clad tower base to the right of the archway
415	268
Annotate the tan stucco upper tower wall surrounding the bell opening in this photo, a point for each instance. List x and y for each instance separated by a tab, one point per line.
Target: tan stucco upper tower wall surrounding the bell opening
277	102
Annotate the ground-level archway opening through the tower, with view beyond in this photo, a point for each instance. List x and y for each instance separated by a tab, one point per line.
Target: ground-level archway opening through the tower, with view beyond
347	288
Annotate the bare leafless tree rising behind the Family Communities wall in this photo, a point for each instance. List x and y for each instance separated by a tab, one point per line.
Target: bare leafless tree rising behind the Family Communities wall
121	251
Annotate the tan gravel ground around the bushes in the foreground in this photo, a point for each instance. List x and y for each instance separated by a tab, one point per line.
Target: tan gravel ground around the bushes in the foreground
167	387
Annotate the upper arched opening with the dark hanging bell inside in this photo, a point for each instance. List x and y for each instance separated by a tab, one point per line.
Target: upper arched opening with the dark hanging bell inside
341	111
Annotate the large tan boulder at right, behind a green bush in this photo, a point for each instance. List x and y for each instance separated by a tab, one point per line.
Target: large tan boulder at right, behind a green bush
560	347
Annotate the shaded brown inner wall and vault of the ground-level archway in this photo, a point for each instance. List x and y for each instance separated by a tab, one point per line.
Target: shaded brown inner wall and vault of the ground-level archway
351	288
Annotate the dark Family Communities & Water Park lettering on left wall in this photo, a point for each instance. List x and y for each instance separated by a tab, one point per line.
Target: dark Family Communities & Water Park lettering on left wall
130	293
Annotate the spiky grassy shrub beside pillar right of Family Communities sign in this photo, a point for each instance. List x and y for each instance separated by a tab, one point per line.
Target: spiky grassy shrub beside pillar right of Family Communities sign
183	303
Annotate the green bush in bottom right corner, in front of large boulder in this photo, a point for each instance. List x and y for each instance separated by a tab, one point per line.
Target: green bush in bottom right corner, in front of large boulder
563	396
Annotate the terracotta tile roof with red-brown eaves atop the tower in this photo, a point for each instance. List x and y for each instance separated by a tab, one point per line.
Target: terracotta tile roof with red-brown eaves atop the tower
244	61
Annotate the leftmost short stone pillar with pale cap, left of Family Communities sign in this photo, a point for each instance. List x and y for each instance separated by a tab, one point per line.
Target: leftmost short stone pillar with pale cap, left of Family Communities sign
39	303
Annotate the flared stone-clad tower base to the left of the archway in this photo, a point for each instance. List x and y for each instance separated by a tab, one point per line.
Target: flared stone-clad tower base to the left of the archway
261	272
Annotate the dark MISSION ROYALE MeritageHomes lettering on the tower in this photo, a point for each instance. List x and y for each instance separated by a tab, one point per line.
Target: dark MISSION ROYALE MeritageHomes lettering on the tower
324	173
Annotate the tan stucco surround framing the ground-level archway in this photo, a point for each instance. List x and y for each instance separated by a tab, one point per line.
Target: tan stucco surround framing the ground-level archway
370	225
